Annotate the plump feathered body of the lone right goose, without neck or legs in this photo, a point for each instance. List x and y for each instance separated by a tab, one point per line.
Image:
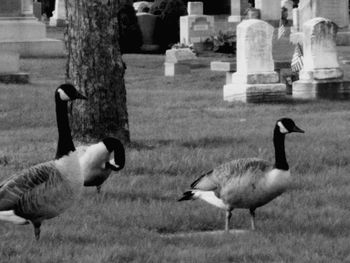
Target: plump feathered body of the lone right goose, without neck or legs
244	183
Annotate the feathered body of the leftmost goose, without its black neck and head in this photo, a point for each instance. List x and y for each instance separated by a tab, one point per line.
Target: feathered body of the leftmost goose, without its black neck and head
43	191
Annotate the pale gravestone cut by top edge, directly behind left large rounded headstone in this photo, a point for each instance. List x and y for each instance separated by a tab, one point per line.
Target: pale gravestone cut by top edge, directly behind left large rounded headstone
270	10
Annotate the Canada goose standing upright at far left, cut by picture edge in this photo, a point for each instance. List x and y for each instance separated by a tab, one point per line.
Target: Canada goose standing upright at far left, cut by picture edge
45	190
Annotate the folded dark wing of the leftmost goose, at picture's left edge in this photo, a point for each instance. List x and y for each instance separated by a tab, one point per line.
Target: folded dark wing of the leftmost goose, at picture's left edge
14	188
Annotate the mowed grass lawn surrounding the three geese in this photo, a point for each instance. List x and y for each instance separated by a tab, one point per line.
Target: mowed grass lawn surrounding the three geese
180	127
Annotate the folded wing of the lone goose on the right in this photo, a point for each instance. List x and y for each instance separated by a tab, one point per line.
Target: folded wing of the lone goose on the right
217	178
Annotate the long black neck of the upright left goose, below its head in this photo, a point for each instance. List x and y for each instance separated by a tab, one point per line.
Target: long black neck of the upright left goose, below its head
65	141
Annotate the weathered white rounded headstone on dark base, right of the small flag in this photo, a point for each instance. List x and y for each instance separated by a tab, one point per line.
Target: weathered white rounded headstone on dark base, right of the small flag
321	76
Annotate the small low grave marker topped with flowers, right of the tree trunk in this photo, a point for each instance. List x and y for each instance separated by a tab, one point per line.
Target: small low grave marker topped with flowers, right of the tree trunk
176	61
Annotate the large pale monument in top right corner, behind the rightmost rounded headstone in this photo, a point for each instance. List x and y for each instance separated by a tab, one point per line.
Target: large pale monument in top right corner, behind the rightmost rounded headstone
334	10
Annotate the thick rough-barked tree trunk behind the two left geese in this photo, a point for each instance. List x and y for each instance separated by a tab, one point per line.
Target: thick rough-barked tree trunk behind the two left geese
96	68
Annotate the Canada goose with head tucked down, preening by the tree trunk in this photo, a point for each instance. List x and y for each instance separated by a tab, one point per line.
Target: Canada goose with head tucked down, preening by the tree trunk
96	161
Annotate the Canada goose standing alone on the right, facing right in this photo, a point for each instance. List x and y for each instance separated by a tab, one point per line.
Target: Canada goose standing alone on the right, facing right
246	183
